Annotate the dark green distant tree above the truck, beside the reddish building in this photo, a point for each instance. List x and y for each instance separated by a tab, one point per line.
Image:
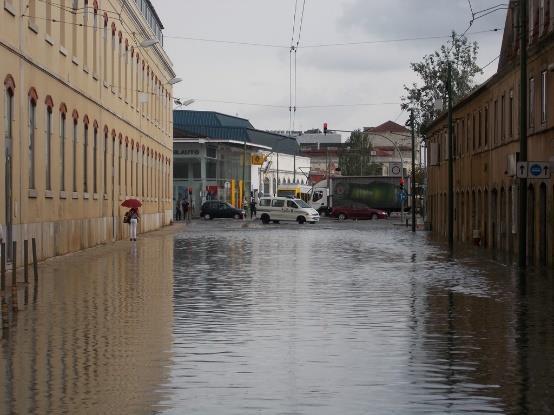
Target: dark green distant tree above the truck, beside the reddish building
355	158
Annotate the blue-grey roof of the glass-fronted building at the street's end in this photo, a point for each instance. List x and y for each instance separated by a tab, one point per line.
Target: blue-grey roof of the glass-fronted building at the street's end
214	125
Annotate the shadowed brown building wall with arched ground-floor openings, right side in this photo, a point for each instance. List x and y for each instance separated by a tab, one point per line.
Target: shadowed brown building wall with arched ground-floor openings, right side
486	138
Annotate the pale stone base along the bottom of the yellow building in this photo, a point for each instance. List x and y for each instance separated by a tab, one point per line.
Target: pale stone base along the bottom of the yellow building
67	236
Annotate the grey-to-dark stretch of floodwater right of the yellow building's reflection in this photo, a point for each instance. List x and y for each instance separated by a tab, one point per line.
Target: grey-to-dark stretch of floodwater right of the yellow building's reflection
355	319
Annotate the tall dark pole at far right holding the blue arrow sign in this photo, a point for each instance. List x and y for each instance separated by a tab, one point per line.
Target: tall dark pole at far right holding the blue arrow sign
522	234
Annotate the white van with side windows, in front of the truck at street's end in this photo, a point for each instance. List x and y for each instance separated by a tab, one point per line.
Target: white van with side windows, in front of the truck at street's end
276	209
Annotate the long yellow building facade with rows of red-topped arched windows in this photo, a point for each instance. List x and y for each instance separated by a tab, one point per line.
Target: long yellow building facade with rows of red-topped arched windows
86	121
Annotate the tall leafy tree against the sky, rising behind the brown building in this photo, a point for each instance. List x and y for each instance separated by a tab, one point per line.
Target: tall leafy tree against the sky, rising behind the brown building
433	70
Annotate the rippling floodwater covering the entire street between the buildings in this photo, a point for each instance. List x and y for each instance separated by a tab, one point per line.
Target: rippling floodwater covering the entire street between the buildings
334	318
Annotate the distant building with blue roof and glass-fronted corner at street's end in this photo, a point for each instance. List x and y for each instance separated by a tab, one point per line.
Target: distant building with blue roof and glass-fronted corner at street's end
209	149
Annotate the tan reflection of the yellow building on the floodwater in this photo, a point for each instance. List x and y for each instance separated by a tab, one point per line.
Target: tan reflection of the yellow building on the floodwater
97	339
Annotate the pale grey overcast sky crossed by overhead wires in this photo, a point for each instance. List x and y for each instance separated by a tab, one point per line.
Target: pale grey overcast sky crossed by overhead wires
339	75
